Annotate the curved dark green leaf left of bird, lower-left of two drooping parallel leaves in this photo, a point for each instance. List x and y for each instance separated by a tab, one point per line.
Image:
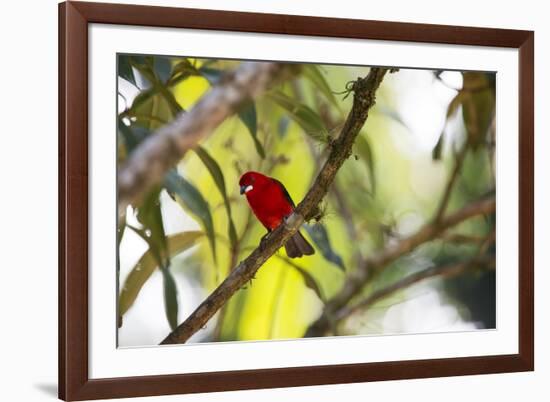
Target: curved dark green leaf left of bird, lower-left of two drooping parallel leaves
192	200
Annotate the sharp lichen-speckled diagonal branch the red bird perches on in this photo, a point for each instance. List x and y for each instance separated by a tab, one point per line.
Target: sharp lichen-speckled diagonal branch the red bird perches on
340	149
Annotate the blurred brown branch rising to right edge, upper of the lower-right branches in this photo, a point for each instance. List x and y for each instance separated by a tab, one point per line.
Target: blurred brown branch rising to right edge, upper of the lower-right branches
357	279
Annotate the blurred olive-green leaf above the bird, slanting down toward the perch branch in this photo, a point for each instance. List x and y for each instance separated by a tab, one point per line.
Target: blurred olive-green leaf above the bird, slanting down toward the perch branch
303	115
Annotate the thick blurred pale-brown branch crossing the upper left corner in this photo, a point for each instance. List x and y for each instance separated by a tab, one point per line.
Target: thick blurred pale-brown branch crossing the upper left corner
148	164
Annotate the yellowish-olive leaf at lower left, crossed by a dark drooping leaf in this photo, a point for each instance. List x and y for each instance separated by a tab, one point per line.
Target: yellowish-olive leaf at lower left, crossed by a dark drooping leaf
147	264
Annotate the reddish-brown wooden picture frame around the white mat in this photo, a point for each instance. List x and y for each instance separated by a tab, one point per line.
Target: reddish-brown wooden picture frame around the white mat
74	17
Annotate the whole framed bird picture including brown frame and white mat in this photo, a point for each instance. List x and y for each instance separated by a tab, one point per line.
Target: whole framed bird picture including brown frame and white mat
259	200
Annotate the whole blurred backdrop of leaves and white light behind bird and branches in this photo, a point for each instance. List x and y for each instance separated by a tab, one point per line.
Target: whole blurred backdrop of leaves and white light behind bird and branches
186	236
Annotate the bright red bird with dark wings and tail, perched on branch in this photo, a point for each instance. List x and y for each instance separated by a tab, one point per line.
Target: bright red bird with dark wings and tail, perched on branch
271	203
